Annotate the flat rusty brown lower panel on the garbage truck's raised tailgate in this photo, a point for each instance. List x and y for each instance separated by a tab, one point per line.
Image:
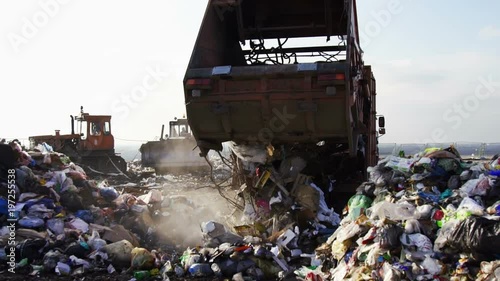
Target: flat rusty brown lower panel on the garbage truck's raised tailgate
285	120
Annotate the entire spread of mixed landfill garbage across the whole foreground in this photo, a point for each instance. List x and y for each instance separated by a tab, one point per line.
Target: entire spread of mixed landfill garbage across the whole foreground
427	217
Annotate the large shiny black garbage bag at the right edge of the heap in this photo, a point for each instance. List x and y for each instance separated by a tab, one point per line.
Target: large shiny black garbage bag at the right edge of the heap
476	235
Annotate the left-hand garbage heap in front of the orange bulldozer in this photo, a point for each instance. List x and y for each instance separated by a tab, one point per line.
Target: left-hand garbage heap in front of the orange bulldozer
55	219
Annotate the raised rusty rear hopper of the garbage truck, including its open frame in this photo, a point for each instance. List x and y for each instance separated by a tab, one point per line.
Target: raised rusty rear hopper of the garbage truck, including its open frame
243	101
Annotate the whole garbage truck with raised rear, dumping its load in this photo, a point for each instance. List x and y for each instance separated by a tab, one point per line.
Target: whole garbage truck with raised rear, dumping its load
286	74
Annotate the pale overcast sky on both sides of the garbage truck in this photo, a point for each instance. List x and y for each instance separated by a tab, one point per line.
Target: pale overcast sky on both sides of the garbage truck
436	65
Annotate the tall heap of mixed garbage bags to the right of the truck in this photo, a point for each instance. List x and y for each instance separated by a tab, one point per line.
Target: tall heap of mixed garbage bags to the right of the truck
427	217
